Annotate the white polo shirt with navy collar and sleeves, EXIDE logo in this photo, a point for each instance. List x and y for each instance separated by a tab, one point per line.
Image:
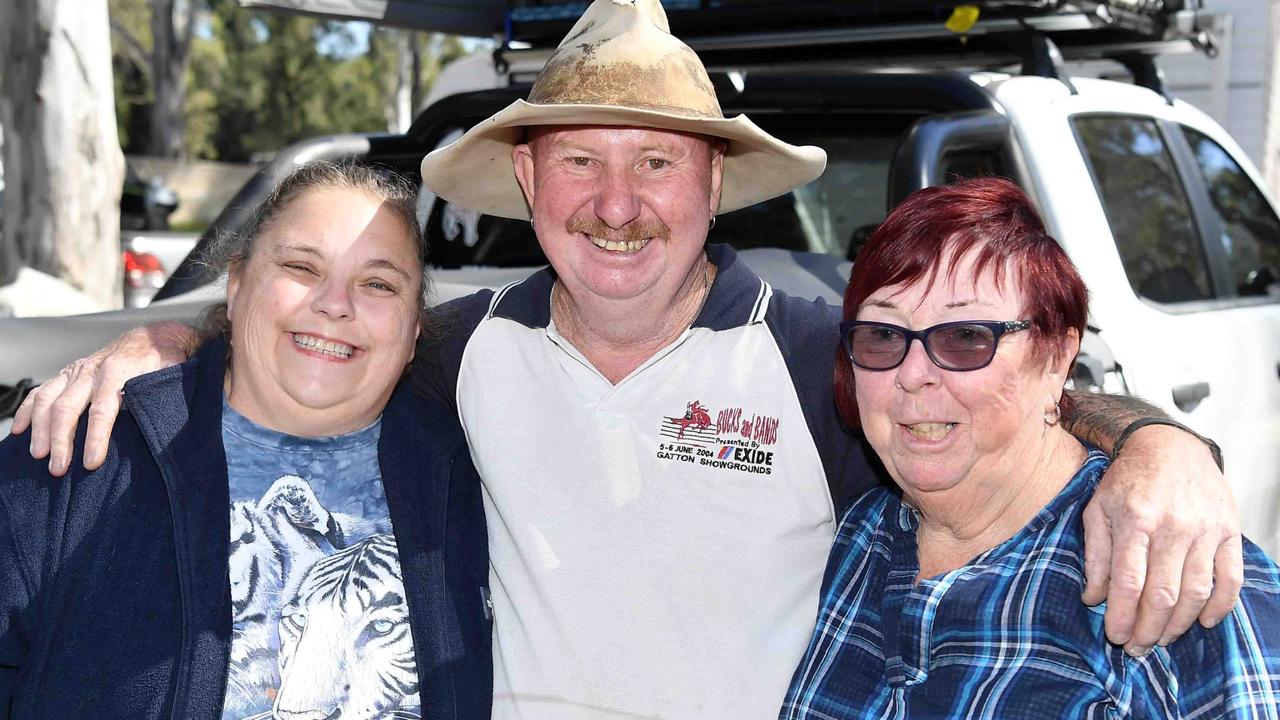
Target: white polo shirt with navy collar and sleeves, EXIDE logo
659	545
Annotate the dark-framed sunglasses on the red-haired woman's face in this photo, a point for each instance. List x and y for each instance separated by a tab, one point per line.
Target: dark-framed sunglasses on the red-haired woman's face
968	345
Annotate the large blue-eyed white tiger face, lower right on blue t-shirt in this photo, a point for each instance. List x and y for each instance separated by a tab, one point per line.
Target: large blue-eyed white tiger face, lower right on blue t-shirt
346	650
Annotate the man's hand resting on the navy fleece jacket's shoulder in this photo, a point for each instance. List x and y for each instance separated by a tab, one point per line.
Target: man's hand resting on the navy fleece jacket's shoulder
53	409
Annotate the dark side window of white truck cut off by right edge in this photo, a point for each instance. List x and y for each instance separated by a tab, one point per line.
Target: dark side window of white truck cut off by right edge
1250	230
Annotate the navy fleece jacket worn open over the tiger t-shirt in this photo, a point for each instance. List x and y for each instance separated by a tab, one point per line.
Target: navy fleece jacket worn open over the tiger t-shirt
115	598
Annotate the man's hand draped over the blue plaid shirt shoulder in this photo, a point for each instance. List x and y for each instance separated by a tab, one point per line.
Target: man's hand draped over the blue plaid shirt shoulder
1162	541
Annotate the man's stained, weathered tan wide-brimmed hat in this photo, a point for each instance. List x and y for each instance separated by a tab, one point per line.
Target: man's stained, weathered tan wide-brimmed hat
620	66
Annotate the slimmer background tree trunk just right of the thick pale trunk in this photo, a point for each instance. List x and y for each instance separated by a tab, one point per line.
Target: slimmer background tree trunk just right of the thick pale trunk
172	29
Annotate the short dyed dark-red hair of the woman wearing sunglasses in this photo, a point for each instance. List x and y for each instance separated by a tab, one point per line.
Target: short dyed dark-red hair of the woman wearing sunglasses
993	218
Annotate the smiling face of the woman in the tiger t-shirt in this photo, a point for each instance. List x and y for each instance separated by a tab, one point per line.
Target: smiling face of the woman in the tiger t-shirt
324	313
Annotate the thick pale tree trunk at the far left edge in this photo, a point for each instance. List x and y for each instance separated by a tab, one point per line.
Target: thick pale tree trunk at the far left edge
62	156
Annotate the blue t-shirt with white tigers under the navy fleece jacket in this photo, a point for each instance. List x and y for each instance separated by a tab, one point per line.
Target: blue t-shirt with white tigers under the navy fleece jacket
319	621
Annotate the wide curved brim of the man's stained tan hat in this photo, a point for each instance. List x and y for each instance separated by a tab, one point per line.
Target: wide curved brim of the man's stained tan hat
477	172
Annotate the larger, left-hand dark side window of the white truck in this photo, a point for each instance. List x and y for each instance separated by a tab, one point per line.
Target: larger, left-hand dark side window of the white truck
1148	208
